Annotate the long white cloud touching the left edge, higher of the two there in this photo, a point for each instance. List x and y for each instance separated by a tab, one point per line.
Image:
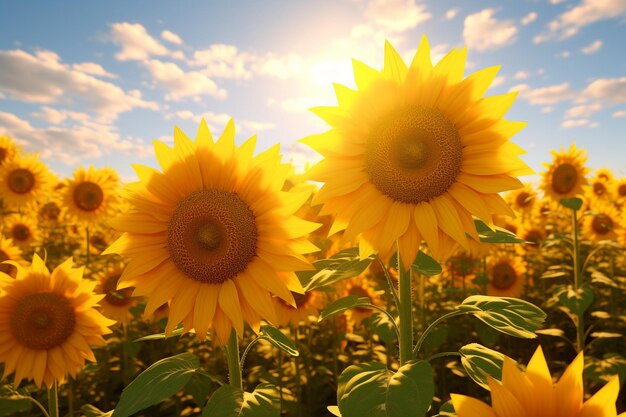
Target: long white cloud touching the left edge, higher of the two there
43	78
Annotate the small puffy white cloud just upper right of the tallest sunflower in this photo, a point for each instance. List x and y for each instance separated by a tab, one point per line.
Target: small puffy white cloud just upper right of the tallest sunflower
483	32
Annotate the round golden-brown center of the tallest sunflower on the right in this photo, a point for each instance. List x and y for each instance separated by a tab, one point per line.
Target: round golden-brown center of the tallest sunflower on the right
413	154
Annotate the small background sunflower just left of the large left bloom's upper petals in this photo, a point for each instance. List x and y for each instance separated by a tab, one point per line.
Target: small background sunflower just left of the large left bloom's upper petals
91	196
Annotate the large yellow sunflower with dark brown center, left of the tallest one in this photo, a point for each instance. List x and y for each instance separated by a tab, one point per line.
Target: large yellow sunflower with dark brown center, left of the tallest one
213	234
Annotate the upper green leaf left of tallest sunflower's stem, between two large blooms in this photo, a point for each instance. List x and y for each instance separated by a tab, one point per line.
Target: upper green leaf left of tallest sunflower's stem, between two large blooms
342	265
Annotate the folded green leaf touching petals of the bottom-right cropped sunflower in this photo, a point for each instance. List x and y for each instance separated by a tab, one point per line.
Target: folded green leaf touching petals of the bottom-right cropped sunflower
480	361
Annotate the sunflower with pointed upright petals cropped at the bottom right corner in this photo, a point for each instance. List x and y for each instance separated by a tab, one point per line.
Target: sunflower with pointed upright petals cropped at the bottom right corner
532	393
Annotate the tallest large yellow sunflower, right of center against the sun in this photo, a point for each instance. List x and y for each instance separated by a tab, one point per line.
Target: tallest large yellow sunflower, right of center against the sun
415	152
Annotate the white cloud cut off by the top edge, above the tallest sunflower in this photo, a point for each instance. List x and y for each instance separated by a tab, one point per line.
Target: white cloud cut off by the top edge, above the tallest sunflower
397	15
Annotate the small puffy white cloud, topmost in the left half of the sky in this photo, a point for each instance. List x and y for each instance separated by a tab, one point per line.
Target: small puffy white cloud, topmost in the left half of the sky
136	42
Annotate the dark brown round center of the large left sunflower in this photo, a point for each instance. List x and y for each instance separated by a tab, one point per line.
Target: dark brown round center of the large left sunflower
212	236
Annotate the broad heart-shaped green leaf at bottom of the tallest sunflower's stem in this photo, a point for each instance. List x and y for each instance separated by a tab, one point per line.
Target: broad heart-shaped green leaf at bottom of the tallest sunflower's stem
371	390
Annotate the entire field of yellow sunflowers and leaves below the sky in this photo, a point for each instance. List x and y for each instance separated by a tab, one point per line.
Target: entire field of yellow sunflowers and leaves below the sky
410	272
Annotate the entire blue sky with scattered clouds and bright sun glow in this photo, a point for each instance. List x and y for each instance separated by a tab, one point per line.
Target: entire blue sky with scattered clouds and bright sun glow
95	82
